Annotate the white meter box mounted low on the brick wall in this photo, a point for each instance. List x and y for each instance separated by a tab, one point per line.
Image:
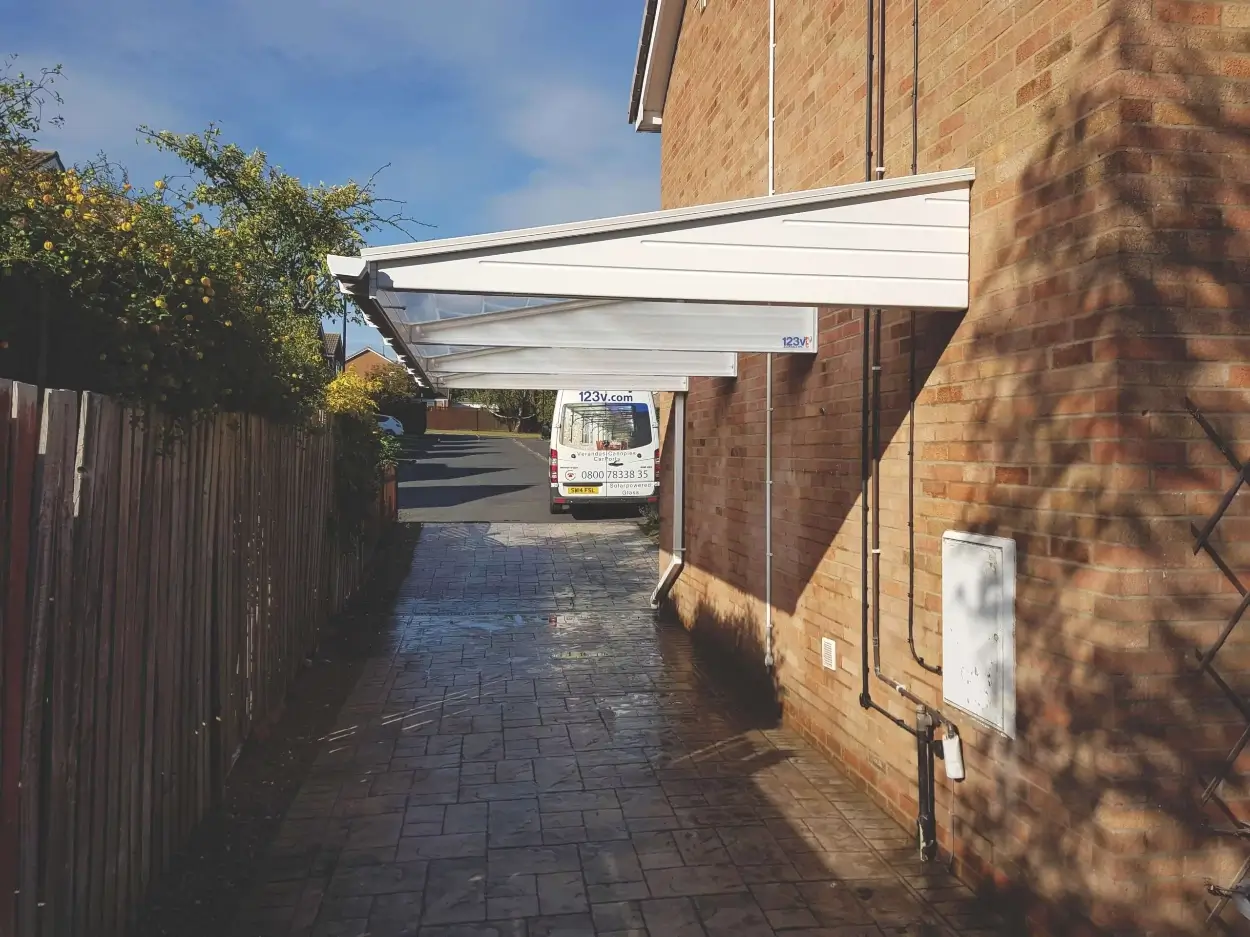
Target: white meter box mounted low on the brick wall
978	644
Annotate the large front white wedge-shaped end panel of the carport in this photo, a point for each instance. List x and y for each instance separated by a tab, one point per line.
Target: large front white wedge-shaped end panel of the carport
897	243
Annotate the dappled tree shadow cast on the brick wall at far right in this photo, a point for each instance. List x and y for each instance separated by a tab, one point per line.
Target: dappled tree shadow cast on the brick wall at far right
1134	202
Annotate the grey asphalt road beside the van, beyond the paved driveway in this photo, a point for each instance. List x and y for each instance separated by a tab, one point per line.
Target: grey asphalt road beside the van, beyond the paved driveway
479	479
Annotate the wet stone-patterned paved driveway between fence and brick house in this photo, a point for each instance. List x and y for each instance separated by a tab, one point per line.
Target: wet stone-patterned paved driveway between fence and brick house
533	756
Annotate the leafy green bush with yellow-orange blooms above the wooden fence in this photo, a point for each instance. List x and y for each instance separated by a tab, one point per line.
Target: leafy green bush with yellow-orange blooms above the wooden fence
199	295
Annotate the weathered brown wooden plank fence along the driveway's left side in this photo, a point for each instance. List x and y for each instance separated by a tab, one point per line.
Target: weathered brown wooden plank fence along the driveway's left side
157	598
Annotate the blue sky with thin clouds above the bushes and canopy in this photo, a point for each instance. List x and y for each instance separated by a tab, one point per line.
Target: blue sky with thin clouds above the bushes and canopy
493	114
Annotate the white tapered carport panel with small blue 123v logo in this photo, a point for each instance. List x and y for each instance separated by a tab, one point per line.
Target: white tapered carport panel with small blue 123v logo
633	325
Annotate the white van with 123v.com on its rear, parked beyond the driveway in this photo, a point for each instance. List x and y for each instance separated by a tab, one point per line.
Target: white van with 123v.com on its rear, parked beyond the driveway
606	449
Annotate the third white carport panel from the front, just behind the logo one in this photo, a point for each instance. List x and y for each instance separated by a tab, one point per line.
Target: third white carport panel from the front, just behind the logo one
578	362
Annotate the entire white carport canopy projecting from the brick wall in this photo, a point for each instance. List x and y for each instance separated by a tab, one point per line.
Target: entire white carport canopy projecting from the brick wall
682	289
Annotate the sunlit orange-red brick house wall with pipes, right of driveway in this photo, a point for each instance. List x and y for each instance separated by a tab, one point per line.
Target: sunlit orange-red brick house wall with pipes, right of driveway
1109	272
